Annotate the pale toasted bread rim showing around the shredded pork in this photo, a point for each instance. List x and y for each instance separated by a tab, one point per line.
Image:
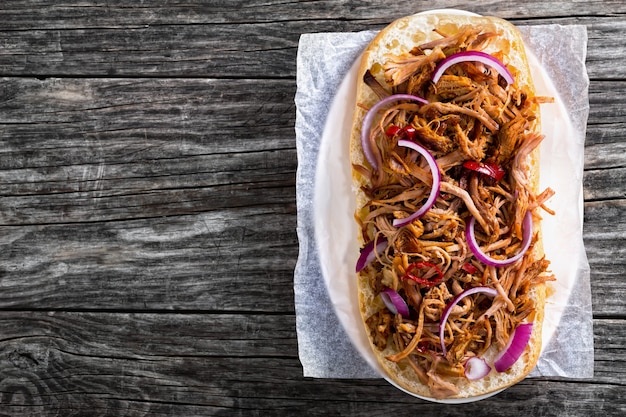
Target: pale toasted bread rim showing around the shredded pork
398	38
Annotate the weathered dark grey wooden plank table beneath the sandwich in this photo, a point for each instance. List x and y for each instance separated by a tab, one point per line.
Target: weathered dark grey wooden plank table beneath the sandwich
148	220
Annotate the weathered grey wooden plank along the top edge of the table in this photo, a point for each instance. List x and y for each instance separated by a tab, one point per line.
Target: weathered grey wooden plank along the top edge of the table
119	41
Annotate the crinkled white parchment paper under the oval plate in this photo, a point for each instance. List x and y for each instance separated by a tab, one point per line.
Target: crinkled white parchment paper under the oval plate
325	348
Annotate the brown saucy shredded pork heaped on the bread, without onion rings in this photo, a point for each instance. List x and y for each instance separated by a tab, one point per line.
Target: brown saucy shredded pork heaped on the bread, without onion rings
472	115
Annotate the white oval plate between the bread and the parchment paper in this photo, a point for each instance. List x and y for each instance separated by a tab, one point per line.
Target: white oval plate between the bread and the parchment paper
336	229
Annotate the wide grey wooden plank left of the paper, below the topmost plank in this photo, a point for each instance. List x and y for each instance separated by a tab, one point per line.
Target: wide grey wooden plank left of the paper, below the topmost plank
93	150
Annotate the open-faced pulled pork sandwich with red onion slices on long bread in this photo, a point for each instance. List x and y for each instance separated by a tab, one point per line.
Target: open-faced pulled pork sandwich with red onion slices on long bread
445	162
